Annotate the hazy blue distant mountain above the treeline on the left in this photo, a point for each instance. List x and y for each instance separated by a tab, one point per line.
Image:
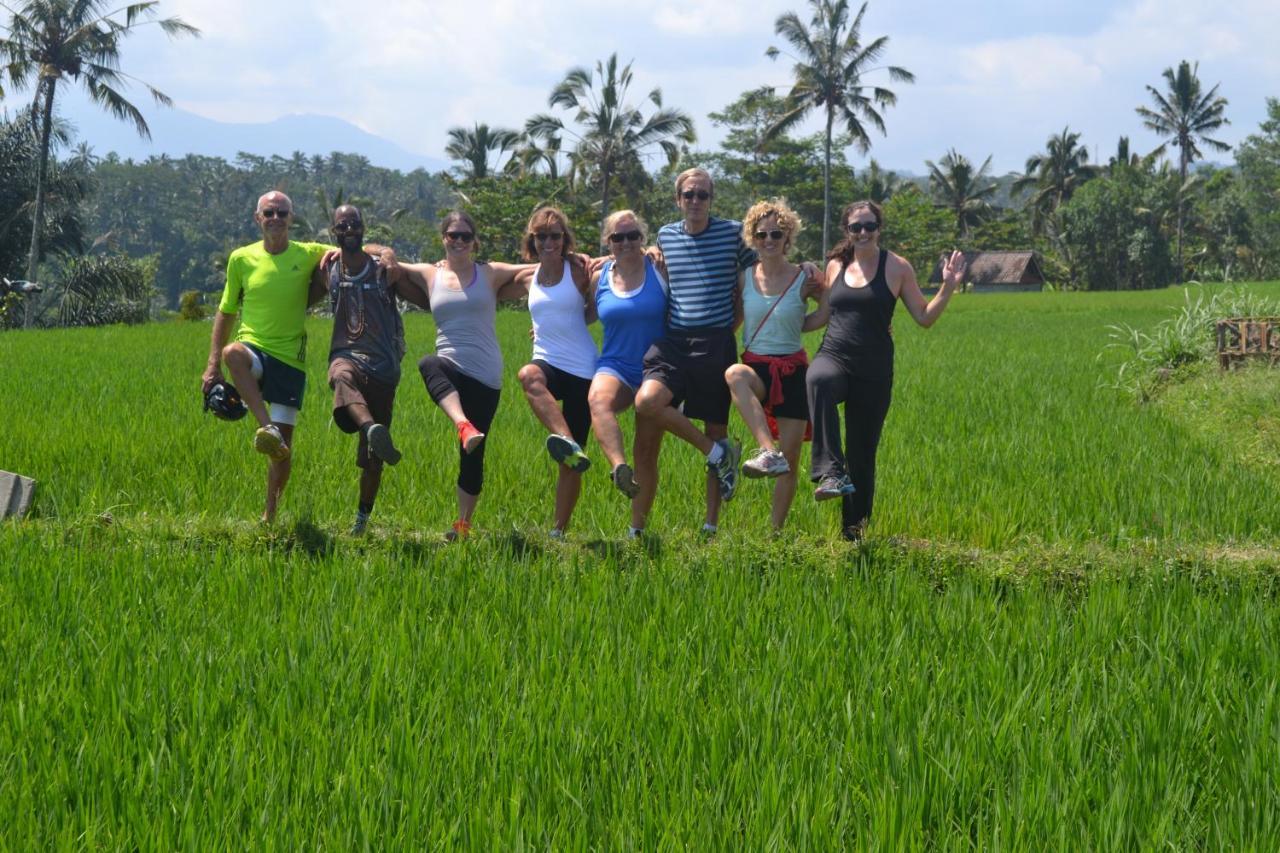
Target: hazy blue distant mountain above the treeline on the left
177	133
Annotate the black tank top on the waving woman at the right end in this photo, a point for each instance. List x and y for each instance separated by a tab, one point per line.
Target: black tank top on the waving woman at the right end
858	332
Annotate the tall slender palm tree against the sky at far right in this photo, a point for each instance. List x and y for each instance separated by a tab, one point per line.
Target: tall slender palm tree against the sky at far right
1186	117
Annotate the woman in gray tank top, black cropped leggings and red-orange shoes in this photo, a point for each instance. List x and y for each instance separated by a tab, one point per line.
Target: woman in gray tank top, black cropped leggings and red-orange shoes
465	375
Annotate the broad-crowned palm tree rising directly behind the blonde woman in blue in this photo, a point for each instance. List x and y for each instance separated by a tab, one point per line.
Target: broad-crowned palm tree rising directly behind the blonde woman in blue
612	135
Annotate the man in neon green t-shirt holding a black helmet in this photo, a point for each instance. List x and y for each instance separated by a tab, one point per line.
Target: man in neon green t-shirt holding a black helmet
269	285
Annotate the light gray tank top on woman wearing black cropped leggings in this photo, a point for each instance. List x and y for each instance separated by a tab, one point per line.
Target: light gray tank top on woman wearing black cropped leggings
465	331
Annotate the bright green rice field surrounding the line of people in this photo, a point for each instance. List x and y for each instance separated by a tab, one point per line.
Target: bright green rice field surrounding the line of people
1063	630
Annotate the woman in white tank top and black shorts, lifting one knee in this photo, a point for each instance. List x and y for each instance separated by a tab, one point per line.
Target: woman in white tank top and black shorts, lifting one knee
560	305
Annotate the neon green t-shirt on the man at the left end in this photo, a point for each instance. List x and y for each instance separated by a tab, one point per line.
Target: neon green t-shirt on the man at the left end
271	294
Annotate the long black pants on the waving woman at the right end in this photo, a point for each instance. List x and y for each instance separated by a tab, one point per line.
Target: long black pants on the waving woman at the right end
830	384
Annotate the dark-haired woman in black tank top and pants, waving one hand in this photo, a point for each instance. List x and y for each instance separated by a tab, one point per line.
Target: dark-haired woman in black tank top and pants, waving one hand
854	366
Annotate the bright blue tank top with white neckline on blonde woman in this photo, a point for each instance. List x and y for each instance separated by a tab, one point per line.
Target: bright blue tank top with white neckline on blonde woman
632	323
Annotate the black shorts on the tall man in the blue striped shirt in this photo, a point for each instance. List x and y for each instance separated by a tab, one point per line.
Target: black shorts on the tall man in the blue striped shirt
692	366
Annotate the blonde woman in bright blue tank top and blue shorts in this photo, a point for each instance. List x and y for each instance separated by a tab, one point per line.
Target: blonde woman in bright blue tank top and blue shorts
632	303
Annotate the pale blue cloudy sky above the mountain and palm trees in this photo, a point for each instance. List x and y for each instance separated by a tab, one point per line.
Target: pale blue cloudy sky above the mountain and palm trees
994	79
